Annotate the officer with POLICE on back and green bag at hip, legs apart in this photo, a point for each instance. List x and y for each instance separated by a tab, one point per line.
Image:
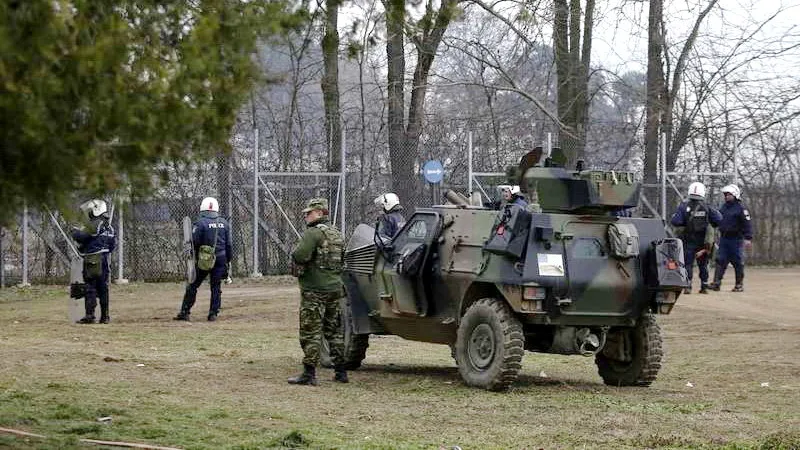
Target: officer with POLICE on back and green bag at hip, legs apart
214	231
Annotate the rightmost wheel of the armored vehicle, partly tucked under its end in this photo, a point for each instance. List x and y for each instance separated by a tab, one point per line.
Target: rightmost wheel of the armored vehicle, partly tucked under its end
631	356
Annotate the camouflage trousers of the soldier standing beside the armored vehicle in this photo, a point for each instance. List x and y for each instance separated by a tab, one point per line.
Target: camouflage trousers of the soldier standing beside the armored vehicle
320	316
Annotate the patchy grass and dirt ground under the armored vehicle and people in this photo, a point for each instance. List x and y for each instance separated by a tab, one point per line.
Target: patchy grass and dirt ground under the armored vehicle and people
731	379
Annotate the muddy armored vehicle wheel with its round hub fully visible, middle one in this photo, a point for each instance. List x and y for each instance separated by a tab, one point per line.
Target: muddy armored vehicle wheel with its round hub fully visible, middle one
489	345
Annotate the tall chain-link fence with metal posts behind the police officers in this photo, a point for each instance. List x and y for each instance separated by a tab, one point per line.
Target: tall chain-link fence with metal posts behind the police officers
150	223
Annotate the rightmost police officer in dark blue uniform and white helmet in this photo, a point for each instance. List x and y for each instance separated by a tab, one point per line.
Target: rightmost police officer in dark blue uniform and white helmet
736	233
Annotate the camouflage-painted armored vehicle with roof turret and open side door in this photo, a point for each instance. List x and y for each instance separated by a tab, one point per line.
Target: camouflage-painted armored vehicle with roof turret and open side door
565	275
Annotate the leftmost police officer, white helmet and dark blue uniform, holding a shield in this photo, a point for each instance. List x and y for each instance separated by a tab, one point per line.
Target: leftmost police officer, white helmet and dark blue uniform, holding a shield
95	245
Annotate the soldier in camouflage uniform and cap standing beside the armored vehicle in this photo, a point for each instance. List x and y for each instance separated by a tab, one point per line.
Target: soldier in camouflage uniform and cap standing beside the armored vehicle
318	266
